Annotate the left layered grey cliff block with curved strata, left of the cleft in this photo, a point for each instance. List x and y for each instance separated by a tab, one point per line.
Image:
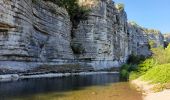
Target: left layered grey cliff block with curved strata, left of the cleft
33	31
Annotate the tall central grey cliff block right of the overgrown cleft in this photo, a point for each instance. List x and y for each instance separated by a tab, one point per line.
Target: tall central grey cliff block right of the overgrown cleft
104	35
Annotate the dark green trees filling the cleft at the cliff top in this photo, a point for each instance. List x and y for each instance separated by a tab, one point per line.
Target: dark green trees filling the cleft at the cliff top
75	11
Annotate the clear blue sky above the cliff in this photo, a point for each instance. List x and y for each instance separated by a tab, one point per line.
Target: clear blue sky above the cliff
149	13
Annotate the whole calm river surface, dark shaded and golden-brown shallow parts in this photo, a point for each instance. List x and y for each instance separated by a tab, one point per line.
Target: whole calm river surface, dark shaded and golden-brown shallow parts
88	87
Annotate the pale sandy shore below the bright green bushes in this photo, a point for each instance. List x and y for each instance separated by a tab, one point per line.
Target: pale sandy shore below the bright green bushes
148	93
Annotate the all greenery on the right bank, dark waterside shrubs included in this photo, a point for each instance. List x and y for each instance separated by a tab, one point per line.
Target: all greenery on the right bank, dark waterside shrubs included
155	69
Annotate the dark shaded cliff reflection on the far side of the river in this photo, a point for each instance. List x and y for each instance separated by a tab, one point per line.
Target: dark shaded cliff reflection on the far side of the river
46	85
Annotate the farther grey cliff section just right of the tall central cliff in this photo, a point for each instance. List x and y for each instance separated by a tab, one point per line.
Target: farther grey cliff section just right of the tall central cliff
138	41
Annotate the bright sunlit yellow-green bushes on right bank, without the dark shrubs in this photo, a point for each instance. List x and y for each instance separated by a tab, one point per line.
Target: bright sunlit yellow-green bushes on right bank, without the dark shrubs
155	69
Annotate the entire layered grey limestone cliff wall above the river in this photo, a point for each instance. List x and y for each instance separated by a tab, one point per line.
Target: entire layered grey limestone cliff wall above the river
34	33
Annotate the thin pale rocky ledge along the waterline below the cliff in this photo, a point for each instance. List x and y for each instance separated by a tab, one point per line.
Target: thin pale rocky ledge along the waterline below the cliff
14	77
